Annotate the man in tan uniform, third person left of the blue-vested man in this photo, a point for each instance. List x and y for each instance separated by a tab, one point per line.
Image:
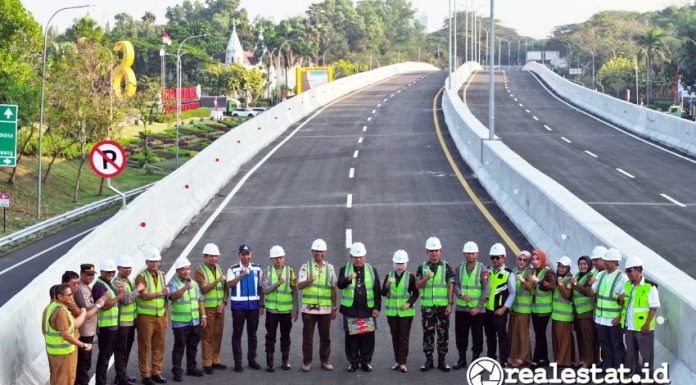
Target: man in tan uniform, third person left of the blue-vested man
151	322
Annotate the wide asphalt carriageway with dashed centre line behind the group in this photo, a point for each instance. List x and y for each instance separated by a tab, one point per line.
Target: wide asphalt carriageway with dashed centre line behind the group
370	163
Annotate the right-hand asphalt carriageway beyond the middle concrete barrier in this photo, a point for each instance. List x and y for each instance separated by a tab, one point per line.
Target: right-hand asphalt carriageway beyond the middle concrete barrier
645	189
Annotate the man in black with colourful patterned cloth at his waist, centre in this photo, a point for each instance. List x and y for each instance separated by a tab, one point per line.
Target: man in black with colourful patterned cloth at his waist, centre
361	301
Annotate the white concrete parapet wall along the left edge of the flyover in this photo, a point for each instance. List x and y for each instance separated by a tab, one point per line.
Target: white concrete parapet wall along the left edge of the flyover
157	216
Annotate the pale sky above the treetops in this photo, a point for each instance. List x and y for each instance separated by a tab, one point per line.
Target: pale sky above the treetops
534	18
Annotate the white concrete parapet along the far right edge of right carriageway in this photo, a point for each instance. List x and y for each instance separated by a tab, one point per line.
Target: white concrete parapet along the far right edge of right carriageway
669	130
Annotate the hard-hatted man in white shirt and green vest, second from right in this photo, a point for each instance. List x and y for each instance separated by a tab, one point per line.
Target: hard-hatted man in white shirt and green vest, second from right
608	290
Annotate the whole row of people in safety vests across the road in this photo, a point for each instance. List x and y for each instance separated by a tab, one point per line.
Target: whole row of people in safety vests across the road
600	302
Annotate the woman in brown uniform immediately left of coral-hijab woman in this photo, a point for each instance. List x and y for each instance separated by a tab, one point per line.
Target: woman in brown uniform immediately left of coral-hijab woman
518	325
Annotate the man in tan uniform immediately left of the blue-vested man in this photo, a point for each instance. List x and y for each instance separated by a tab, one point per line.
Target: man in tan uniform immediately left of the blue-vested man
212	282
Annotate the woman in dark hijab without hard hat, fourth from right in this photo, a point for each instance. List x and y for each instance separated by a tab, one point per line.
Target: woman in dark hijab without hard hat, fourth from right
583	302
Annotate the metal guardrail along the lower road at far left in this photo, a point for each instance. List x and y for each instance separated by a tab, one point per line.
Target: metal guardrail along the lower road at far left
62	218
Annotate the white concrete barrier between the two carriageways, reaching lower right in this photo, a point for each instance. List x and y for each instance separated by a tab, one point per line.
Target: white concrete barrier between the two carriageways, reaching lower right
554	219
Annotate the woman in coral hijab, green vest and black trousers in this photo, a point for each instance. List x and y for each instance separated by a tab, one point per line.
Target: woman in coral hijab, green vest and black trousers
542	300
